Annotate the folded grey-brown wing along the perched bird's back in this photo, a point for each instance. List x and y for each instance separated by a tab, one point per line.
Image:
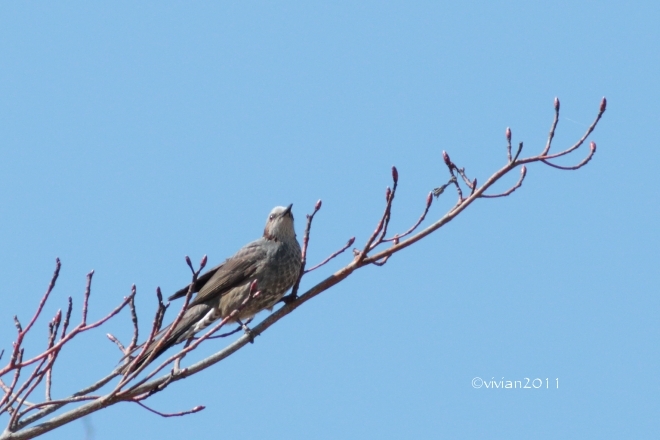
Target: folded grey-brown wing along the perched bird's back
233	272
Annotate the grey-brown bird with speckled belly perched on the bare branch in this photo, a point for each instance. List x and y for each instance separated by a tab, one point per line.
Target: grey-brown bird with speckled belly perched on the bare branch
273	261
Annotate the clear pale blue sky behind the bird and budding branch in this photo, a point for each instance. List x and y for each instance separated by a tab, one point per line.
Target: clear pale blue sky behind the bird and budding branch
135	134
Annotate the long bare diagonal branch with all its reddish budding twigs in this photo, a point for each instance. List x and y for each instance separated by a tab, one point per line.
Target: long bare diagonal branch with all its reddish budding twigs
24	415
